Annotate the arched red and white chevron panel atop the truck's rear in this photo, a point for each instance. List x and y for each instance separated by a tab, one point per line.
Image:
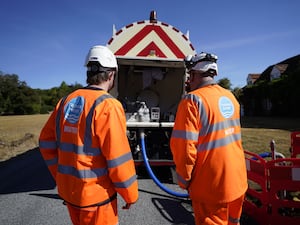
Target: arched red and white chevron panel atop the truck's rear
142	39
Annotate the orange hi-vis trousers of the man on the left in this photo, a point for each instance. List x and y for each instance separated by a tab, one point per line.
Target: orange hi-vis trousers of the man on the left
96	215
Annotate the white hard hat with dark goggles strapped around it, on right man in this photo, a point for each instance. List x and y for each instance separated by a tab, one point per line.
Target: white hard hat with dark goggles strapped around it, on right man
203	62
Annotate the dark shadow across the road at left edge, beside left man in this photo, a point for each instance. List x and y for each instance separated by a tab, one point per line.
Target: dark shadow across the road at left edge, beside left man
24	173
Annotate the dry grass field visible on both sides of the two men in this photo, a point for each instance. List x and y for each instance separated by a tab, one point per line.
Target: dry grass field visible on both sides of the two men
19	134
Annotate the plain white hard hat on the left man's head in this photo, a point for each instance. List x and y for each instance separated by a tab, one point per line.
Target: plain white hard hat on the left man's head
103	56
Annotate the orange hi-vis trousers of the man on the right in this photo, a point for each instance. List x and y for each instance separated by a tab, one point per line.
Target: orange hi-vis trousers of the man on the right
218	214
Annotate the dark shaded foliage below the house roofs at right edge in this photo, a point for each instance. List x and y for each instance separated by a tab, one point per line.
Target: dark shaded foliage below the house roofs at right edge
278	97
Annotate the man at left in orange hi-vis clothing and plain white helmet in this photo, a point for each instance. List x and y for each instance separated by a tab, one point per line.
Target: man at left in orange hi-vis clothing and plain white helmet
85	147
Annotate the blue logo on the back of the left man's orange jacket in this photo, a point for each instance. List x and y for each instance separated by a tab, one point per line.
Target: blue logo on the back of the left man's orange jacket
74	109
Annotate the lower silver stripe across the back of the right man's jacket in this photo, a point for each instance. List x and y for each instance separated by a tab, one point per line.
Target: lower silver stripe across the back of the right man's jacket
218	143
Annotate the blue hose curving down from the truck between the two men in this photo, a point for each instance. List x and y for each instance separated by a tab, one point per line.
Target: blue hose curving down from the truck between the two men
152	175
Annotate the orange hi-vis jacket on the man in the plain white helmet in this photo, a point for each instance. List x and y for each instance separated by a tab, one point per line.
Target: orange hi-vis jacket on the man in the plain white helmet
85	146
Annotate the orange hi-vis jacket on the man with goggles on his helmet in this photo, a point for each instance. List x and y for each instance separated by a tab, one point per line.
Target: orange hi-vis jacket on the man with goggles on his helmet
206	145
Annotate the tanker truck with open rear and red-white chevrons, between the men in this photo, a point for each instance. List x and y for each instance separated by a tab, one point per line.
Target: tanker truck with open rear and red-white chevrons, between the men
150	83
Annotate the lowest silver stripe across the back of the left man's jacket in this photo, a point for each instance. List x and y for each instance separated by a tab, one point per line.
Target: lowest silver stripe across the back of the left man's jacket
82	174
